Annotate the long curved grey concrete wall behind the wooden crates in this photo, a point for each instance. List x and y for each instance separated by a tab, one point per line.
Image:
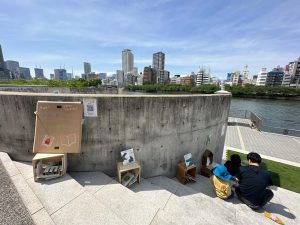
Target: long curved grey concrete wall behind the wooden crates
160	128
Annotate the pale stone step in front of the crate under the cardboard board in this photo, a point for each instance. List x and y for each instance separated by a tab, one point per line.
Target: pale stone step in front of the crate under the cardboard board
65	200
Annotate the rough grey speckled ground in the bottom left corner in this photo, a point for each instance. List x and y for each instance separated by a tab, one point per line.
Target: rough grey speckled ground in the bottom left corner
12	209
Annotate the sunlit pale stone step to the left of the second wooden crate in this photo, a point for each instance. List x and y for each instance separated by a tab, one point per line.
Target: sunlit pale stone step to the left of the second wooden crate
126	204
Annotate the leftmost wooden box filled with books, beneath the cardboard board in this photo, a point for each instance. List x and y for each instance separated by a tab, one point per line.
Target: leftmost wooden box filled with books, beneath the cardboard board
50	160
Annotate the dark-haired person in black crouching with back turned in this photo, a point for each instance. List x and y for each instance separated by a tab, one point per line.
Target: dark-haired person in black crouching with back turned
253	183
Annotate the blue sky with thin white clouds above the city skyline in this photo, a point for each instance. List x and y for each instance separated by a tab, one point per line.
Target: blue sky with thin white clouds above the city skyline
221	34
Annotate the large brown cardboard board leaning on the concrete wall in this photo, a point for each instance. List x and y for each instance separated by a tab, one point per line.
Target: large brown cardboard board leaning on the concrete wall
58	127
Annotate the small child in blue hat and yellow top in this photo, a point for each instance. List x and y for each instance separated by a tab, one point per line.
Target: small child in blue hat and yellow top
220	180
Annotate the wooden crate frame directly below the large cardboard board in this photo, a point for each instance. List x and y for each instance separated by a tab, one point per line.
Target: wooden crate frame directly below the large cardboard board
48	159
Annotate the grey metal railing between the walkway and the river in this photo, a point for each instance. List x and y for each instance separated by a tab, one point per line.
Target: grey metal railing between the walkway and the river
258	123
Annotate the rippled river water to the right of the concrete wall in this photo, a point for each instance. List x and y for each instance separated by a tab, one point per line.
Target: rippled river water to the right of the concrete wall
274	113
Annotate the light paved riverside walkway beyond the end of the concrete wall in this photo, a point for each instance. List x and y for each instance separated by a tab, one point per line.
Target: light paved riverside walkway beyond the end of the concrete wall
241	136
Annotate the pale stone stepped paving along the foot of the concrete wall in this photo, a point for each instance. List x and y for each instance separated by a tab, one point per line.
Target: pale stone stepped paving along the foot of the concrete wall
95	198
